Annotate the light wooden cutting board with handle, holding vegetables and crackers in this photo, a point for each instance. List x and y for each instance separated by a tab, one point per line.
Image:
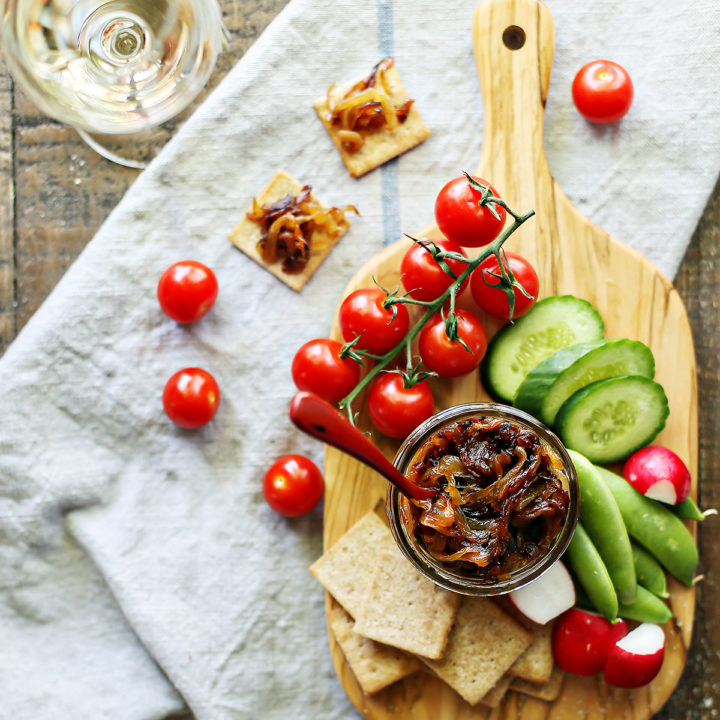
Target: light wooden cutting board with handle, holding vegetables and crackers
571	255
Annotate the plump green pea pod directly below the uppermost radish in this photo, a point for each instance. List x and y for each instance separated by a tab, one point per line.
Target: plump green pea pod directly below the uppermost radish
655	527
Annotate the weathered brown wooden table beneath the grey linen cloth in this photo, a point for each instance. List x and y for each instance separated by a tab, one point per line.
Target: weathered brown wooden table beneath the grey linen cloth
55	192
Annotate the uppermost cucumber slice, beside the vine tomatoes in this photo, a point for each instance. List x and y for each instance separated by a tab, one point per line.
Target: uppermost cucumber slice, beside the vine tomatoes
554	323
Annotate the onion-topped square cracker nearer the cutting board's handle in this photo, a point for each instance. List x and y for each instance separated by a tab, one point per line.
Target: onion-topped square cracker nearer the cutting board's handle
371	119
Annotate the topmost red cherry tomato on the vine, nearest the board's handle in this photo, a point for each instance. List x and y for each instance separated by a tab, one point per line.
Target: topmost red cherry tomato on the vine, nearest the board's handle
462	219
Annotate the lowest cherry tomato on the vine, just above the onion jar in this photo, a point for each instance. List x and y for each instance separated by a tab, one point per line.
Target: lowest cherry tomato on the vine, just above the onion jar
396	410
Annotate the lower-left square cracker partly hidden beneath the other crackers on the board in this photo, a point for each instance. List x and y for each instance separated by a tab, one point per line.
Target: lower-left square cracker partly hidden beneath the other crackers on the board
375	666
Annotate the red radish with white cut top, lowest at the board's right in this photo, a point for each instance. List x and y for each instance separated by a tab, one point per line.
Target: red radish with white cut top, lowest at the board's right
637	658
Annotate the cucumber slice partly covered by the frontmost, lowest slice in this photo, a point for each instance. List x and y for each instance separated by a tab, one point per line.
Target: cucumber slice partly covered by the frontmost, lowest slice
611	359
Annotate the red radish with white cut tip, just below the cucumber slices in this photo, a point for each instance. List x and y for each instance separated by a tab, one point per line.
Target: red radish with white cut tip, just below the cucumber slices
658	473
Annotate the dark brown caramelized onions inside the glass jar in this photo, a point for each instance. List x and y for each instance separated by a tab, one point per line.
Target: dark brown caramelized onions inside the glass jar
502	498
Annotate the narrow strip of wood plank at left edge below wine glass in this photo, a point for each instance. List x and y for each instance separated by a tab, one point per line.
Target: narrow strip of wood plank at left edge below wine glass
7	200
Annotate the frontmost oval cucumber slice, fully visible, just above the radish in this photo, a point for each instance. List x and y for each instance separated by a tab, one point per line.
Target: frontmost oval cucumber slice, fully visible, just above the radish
609	419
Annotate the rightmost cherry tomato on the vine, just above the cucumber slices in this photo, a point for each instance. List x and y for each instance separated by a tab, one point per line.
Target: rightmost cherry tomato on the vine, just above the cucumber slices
494	300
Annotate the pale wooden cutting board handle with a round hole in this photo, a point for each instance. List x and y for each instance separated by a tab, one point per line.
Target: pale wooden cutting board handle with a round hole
514	43
